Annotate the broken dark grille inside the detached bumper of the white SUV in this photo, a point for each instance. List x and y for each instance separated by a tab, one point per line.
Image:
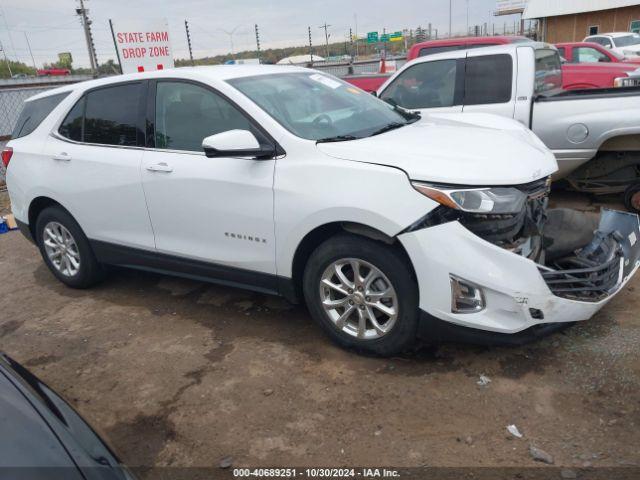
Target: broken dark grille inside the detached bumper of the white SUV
585	277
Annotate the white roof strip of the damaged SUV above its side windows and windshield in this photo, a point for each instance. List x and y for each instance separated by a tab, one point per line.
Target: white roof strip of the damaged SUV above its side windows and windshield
201	73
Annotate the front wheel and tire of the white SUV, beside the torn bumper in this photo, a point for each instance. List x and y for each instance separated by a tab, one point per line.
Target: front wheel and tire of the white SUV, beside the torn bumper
362	294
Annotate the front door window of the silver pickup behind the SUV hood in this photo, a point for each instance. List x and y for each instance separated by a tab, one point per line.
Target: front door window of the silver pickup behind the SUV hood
425	85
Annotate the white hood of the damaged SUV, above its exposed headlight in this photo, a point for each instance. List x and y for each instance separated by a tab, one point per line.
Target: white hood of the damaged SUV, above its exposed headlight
463	149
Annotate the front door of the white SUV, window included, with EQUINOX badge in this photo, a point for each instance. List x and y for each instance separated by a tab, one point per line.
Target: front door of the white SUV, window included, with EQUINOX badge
217	210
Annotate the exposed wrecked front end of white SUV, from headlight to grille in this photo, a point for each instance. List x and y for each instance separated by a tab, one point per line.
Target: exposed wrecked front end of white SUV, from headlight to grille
581	256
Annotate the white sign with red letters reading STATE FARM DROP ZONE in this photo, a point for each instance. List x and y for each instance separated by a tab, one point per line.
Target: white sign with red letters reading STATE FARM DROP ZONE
143	45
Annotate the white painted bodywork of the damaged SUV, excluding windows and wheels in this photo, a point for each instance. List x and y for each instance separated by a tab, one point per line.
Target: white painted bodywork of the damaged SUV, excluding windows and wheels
187	207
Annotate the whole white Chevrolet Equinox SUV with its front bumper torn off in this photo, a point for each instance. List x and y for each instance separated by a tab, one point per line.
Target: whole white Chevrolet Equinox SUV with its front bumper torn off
288	181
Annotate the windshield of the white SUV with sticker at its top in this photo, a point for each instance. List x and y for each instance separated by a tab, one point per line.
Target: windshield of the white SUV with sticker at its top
319	107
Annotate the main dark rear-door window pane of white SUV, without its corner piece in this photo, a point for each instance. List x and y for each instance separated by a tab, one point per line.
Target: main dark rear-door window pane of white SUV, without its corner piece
111	115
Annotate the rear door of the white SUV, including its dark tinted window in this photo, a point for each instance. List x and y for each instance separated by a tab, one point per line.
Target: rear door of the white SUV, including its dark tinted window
93	161
